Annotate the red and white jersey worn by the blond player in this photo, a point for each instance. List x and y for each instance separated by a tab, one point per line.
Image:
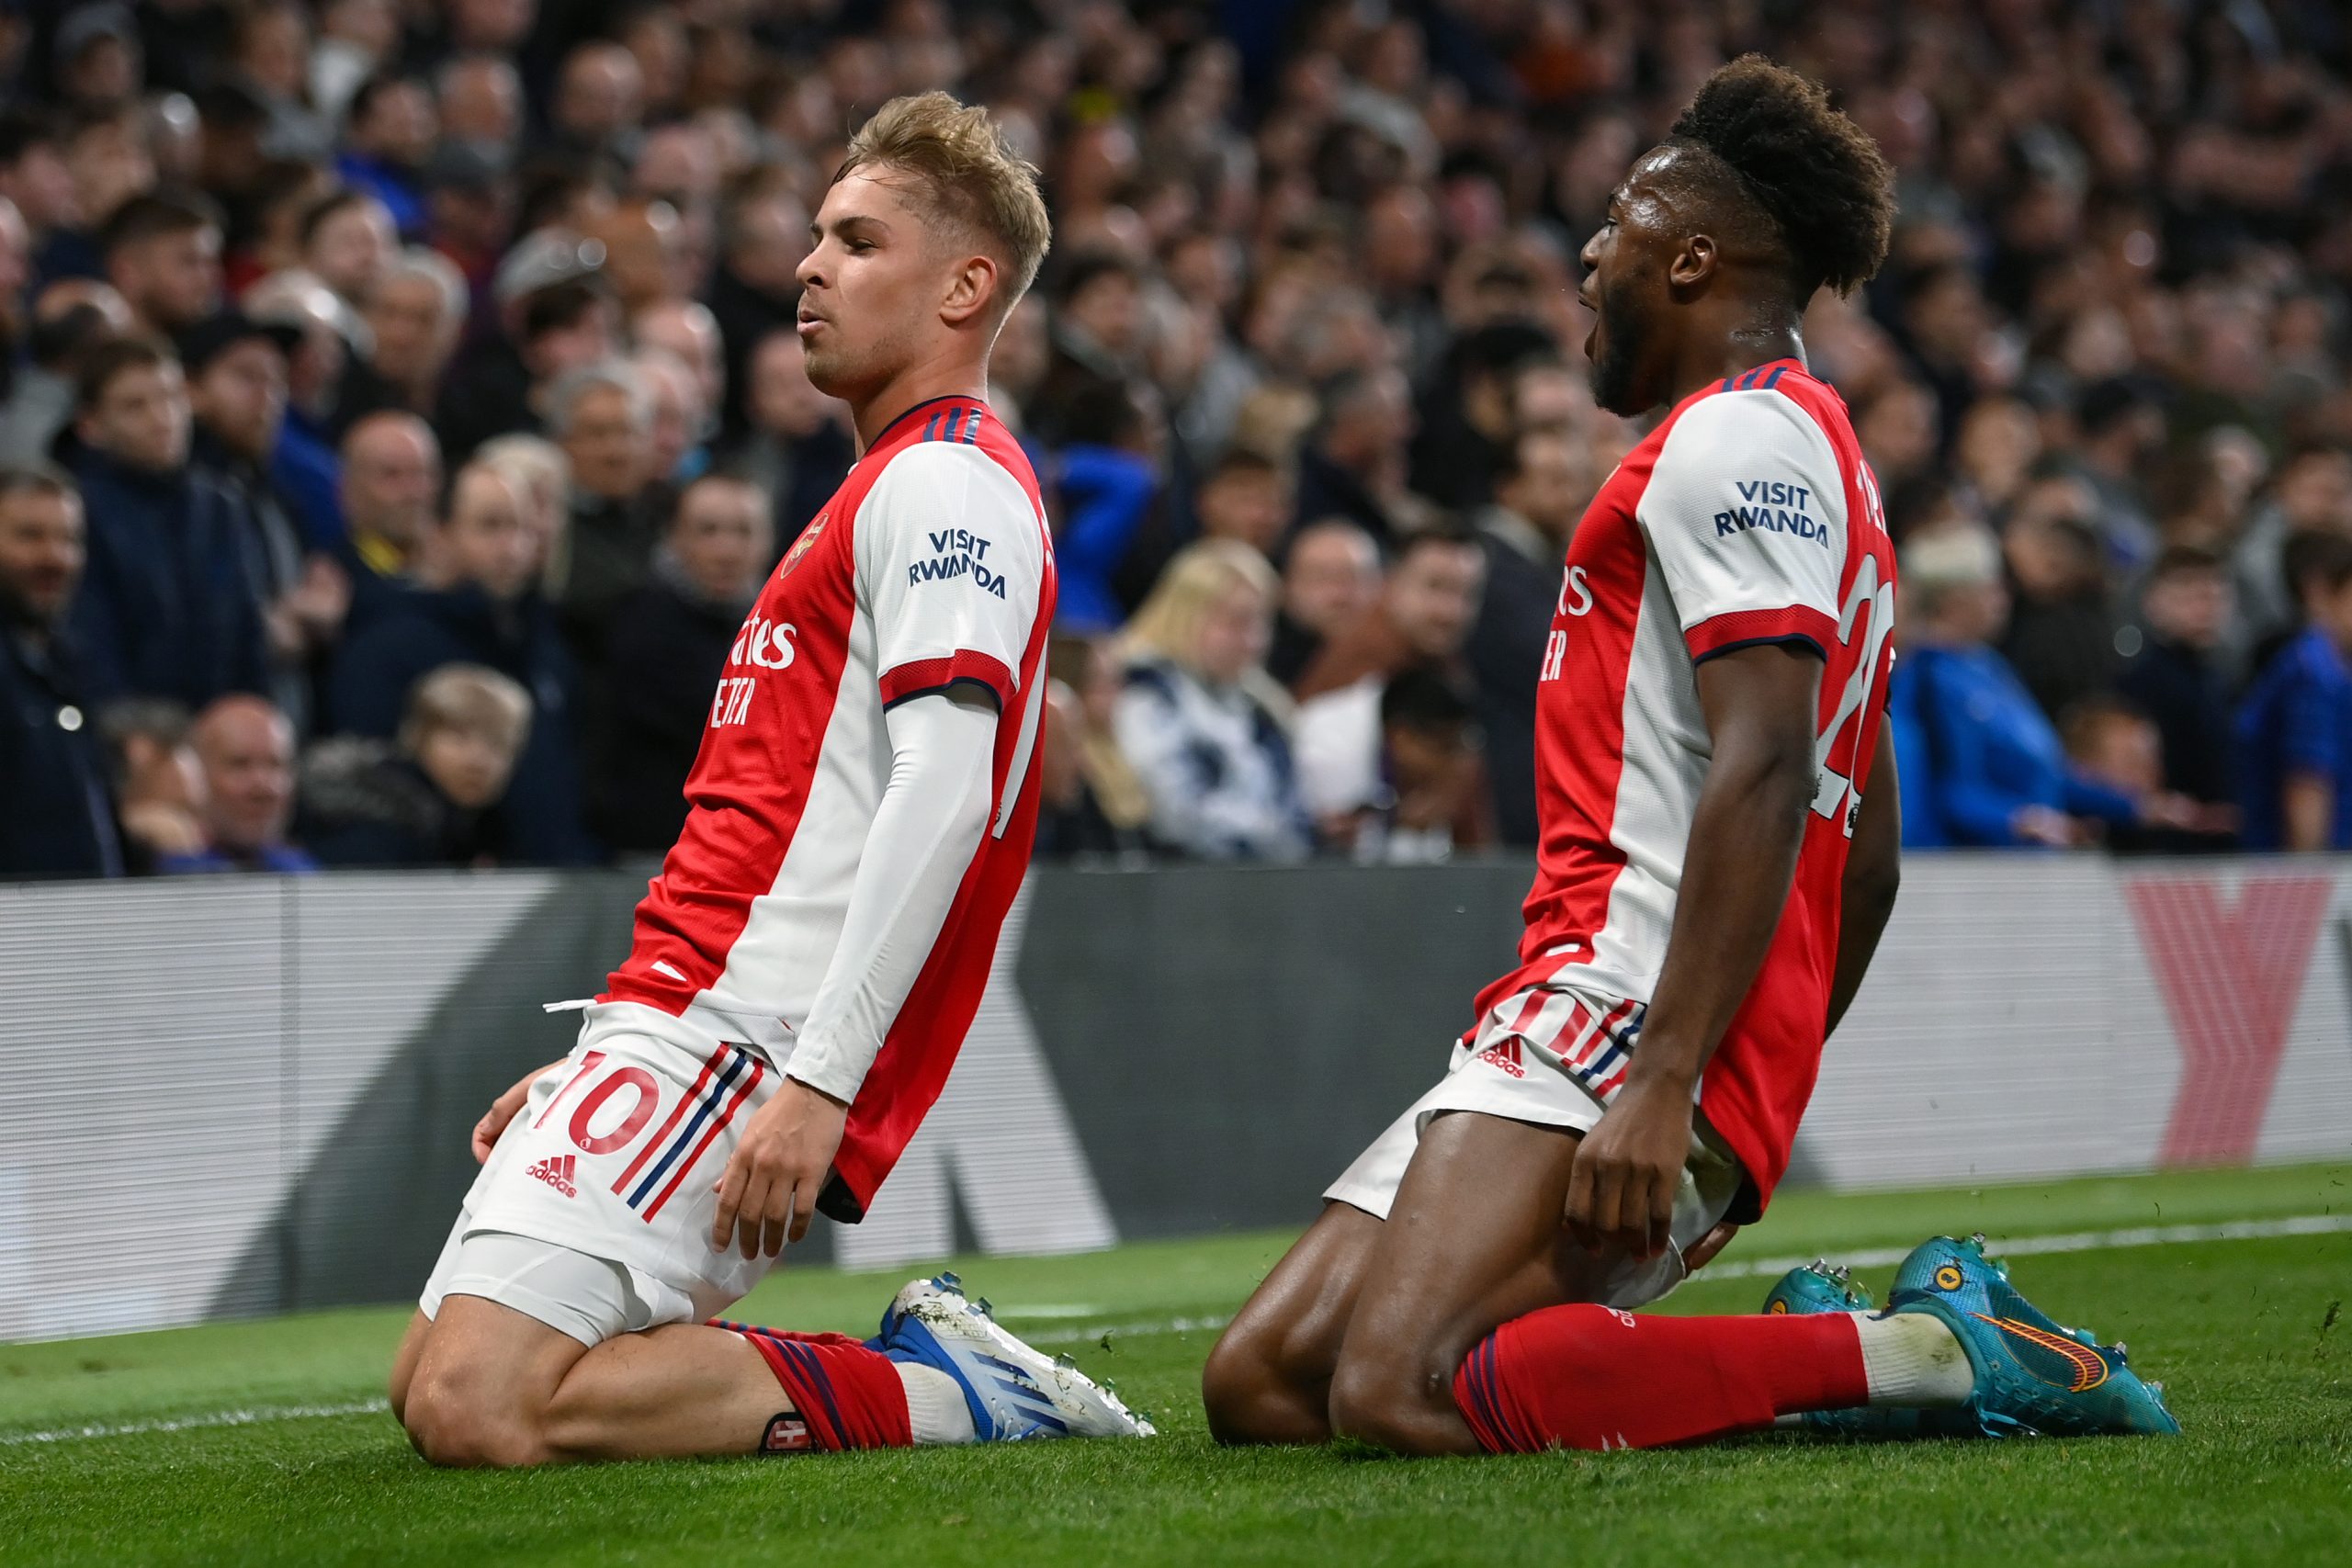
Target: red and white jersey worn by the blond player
930	565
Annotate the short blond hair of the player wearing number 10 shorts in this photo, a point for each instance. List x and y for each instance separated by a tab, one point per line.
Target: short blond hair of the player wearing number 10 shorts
968	173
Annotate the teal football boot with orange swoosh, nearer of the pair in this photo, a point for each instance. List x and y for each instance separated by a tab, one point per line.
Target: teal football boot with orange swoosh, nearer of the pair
2033	1376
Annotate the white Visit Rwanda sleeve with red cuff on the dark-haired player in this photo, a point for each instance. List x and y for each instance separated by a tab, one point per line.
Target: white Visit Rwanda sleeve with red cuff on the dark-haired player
1749	518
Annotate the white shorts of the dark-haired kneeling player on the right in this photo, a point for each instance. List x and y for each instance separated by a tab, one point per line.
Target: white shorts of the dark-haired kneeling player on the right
1556	1057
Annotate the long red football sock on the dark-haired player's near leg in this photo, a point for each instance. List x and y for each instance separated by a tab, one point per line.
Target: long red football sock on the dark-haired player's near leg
1601	1379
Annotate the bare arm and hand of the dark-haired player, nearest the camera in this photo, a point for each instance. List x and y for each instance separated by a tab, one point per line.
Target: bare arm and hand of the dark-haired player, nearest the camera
1746	833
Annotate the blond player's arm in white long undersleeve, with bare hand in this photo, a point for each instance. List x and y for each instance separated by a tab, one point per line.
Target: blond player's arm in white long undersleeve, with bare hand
926	833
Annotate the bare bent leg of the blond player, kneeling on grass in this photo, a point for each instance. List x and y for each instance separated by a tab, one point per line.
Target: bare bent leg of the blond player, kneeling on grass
493	1386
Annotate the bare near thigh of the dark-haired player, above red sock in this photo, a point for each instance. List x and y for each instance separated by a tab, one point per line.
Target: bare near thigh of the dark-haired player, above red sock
1471	1242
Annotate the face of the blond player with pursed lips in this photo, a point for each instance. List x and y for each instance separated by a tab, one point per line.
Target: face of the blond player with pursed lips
871	286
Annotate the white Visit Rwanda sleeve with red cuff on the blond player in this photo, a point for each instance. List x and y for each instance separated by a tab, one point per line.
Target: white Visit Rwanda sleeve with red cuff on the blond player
949	556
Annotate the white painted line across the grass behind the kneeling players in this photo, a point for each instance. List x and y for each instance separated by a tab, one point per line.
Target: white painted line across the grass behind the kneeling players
1758	1268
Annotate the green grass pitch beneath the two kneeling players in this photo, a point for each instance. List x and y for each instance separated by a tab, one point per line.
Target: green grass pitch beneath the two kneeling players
267	1442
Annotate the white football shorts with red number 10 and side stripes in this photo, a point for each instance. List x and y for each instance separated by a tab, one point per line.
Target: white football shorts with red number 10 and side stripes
594	1212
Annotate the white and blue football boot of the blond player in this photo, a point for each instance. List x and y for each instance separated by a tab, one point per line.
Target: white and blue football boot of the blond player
1015	1393
